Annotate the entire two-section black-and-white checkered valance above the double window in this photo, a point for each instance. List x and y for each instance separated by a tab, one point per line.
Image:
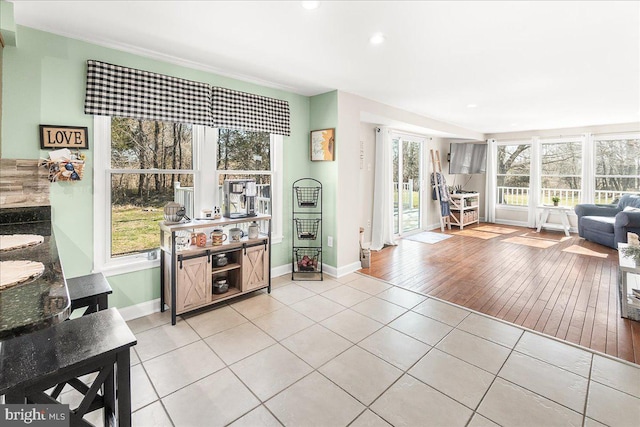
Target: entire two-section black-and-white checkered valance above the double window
113	90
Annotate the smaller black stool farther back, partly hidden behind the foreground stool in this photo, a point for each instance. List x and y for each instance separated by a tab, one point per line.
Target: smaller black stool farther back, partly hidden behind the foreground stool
89	291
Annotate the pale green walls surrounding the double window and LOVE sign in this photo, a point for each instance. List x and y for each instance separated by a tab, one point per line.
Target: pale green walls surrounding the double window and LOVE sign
44	78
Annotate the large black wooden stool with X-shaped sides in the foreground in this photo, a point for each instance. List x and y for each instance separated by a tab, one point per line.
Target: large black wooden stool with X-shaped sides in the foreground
60	354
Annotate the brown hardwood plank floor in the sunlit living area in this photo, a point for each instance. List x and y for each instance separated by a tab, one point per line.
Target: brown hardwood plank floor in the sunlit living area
561	286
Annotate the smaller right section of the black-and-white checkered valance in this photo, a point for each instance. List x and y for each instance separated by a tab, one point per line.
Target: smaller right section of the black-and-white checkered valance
240	110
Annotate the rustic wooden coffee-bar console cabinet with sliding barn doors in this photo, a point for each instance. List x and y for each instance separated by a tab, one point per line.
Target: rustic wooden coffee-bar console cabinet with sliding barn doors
188	274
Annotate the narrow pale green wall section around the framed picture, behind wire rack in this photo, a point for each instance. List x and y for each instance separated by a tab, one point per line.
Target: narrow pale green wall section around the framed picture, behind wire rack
324	115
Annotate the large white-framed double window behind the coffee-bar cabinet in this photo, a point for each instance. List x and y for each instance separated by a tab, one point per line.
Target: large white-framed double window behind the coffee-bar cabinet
140	165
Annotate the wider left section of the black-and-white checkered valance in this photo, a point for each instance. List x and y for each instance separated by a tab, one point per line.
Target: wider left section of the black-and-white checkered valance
113	90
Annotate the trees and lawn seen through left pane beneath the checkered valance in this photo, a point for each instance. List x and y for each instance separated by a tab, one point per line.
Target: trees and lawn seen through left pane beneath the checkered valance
148	160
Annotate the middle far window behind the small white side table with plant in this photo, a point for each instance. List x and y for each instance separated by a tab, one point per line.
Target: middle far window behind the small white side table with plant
561	171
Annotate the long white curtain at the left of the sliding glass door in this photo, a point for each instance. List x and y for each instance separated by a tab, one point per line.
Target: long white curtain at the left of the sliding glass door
382	226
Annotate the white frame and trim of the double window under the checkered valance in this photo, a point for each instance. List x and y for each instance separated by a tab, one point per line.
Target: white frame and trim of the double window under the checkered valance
205	178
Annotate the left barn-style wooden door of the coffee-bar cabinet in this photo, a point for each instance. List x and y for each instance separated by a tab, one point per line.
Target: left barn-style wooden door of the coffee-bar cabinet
194	276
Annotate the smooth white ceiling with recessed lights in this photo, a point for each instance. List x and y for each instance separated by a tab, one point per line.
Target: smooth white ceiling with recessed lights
526	65
